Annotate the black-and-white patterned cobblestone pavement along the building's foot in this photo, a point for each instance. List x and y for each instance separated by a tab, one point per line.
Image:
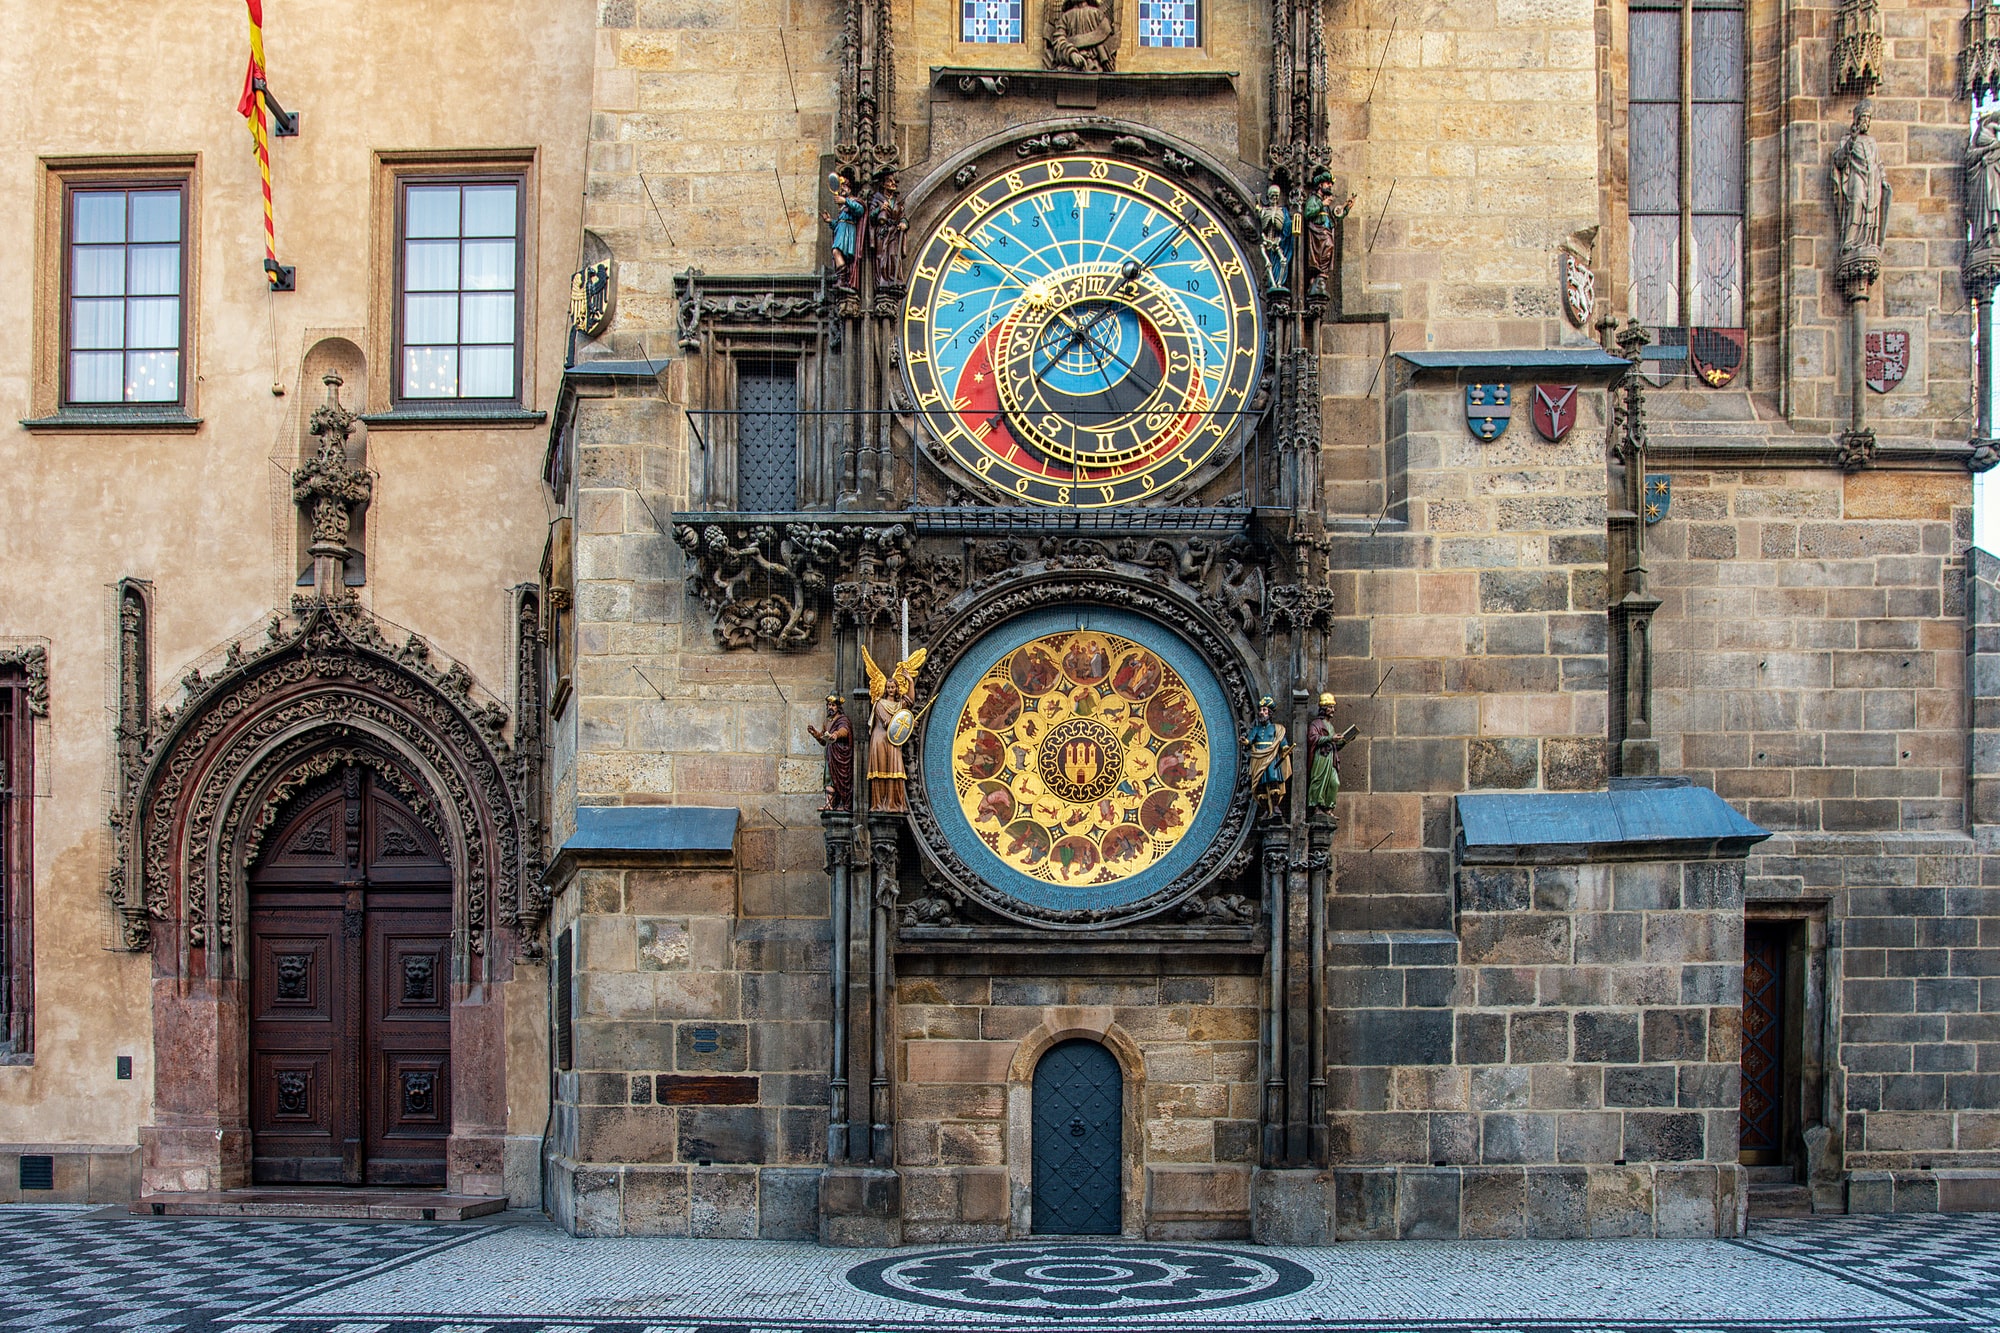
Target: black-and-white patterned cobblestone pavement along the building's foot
99	1270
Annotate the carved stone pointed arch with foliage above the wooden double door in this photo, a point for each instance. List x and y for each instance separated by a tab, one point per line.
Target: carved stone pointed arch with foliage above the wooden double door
323	690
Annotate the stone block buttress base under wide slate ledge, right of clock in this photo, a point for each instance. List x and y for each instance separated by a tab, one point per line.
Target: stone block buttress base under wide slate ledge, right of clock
1565	1060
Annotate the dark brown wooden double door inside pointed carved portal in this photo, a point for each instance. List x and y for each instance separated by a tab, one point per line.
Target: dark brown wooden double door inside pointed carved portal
351	992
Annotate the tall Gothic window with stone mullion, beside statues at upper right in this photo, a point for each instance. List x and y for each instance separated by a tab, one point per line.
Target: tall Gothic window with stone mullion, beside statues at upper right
1687	163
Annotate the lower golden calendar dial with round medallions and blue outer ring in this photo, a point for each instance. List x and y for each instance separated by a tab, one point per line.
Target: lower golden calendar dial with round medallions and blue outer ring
1089	760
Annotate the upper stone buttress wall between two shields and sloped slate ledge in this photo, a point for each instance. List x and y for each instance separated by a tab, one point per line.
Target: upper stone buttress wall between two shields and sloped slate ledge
1479	631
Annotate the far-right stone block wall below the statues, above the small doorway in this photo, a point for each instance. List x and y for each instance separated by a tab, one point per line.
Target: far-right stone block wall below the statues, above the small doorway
1809	651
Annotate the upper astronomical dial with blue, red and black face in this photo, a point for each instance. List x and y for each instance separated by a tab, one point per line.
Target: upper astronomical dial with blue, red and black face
1083	333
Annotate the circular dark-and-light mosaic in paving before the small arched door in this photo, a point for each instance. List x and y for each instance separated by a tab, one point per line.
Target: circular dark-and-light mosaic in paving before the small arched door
1081	1278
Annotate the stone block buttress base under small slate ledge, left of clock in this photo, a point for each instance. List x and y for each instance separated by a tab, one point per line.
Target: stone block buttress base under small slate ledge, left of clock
697	1102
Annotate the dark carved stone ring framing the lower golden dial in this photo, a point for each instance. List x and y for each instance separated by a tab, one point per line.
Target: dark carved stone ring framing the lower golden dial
977	613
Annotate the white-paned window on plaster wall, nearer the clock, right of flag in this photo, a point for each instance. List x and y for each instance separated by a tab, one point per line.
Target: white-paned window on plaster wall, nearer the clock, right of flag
459	283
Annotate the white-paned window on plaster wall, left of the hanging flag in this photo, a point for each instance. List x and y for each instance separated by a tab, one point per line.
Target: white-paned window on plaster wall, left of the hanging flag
125	279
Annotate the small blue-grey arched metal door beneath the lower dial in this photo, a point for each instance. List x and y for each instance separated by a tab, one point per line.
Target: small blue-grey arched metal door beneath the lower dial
1079	1110
